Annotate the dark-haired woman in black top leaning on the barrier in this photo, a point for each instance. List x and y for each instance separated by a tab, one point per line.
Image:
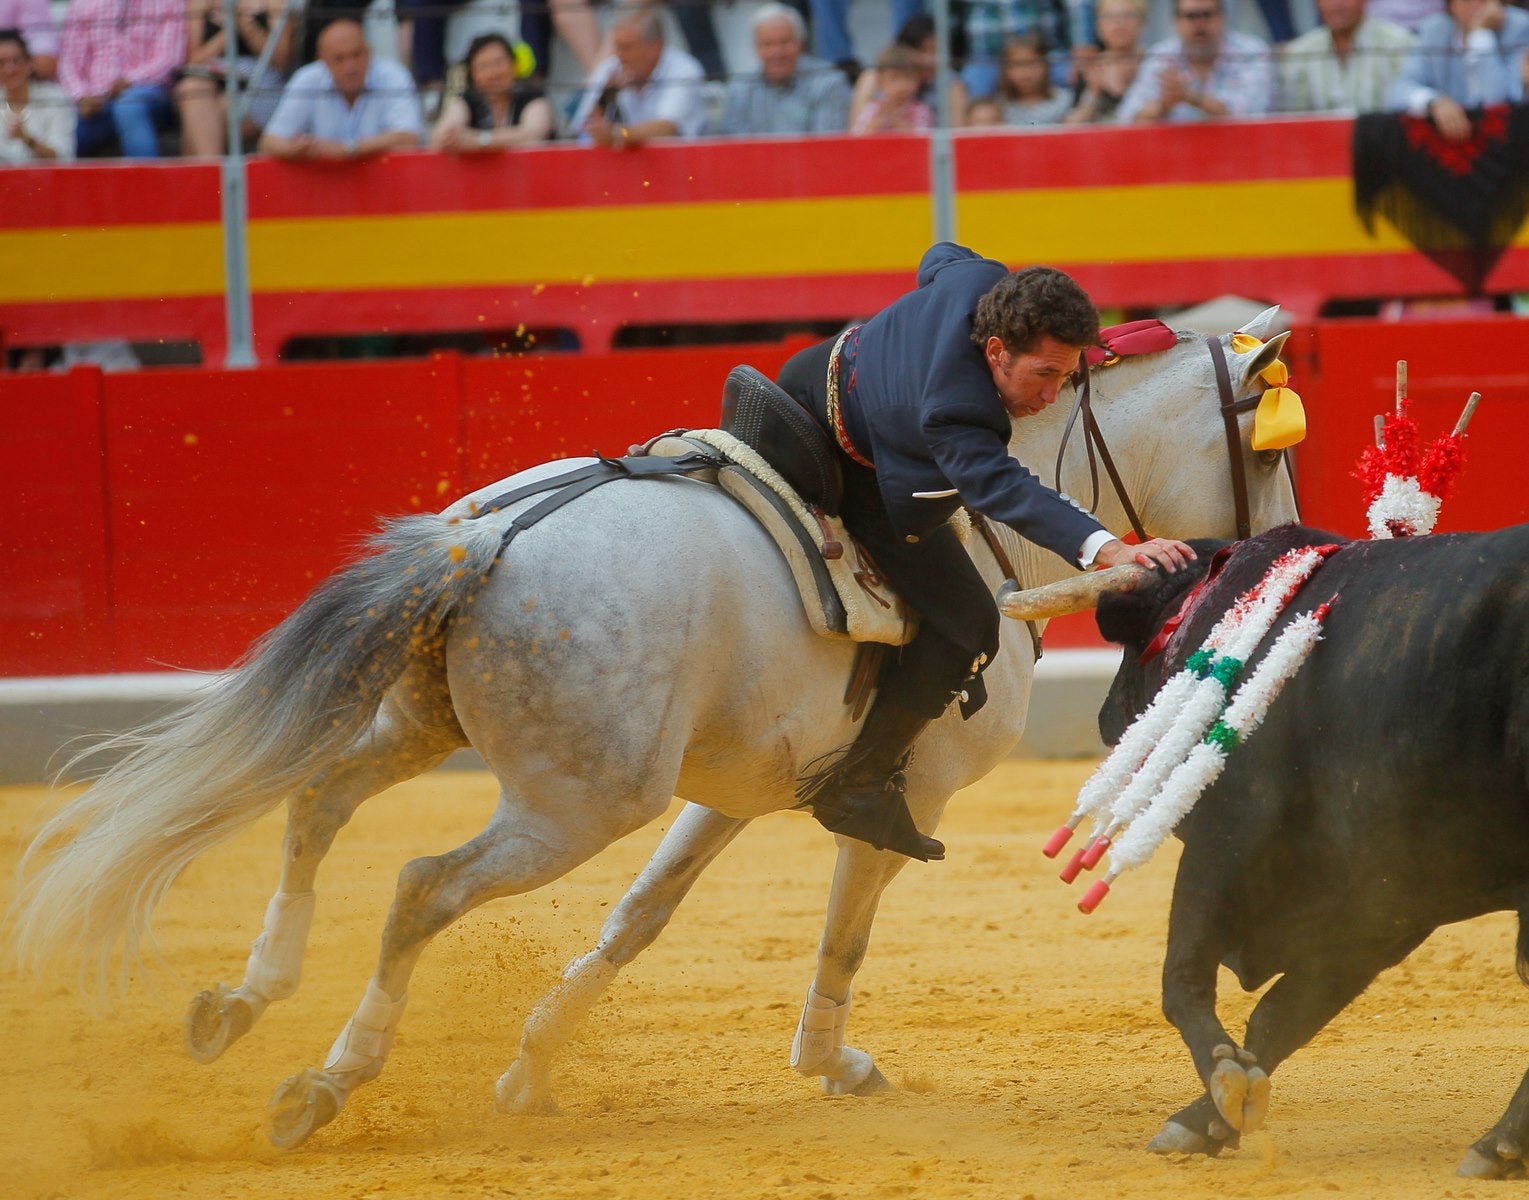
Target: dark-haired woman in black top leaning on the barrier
501	108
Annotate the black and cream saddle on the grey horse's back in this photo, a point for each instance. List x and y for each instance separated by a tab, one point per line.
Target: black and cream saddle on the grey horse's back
782	469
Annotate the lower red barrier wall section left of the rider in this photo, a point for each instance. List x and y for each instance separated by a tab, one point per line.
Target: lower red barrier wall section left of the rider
164	519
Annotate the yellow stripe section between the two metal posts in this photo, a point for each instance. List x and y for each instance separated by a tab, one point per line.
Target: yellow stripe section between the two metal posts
592	245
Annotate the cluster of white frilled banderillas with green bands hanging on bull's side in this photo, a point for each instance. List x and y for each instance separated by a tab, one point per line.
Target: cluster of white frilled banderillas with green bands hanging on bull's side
1180	745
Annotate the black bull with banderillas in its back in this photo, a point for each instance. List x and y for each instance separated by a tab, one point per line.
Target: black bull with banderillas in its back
1388	794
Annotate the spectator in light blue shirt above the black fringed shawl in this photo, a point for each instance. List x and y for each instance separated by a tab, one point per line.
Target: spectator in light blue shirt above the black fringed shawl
1466	59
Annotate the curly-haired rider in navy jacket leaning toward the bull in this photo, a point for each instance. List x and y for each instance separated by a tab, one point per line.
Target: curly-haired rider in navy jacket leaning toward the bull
918	403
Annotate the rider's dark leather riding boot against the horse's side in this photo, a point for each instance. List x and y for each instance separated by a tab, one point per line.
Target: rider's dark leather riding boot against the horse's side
865	800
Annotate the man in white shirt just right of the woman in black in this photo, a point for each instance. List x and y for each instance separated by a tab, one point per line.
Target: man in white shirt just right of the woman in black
644	89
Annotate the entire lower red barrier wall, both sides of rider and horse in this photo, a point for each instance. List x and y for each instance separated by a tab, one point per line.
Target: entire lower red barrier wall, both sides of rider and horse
164	519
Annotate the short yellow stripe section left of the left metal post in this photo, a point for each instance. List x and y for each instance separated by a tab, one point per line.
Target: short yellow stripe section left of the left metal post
111	264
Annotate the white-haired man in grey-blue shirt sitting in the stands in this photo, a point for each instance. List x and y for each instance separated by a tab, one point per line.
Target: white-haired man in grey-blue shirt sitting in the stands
791	92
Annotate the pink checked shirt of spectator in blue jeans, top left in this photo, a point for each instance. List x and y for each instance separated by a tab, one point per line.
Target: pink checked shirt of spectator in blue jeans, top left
140	42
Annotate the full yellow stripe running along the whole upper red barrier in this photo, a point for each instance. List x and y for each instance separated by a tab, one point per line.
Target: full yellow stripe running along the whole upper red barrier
715	241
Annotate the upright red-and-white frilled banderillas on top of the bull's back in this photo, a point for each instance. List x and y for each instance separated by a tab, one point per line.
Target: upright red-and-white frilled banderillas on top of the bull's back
1404	488
